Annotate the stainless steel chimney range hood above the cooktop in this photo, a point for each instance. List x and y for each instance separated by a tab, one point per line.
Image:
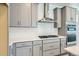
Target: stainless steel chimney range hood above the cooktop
45	17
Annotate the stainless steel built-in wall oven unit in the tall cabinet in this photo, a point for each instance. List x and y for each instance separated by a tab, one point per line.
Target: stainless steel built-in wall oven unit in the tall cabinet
71	34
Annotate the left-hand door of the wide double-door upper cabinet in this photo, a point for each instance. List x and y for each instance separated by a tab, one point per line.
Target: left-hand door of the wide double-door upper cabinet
14	15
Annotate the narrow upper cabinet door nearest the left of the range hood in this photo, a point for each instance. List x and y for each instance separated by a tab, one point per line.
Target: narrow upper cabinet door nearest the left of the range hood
34	14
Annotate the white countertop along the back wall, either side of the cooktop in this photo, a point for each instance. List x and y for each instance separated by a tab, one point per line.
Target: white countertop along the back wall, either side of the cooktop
24	37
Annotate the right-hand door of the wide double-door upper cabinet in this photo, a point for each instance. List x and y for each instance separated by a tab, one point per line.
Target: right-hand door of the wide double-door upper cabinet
25	15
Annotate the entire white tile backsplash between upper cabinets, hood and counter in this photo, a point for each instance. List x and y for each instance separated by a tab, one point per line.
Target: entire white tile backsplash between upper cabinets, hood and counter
42	29
